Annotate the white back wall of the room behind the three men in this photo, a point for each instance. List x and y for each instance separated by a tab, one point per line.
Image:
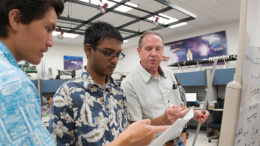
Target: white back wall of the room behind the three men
54	57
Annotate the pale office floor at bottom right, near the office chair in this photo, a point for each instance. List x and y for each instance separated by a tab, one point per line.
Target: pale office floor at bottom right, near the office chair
202	139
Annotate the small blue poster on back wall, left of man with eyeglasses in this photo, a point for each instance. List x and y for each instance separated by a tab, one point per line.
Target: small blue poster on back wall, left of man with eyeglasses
73	62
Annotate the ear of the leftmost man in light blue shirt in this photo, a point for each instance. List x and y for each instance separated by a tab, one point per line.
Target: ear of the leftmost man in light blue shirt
15	17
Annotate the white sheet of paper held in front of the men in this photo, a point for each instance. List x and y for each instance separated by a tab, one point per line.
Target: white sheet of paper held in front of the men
173	131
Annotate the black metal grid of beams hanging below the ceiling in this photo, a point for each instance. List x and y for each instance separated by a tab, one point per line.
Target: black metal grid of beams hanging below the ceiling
121	28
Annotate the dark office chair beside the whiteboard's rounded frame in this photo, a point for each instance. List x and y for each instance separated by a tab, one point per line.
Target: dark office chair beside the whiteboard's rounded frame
217	118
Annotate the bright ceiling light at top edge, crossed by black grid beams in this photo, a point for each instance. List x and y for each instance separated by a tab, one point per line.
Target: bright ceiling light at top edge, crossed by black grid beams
121	8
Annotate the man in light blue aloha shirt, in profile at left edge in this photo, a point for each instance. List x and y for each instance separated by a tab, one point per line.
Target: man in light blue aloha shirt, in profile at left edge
25	34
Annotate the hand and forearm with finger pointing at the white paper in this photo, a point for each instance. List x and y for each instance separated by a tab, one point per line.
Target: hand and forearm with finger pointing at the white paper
140	133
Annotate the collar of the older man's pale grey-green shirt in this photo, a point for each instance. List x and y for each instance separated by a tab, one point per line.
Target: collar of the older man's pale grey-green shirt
146	75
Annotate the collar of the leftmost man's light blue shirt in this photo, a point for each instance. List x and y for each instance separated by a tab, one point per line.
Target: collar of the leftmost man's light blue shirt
5	52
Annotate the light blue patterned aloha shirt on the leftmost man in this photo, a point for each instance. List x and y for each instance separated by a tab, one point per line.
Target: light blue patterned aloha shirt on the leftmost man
20	112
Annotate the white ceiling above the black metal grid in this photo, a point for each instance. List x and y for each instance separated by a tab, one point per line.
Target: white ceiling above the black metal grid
209	13
